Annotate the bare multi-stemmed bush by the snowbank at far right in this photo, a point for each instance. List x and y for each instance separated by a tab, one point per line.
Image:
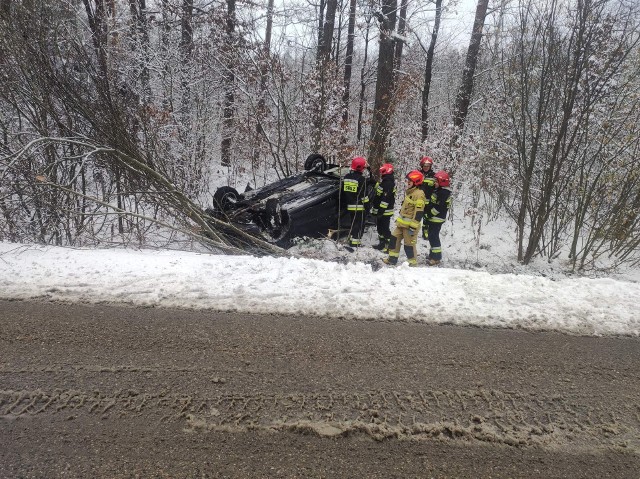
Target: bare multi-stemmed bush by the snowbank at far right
561	71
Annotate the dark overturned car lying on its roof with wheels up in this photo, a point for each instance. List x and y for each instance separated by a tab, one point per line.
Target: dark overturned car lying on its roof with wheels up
302	205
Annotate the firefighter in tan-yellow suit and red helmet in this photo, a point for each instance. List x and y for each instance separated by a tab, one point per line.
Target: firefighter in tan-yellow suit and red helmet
408	223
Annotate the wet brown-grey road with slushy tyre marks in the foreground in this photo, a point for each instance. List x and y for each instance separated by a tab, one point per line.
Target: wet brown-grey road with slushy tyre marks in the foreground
117	392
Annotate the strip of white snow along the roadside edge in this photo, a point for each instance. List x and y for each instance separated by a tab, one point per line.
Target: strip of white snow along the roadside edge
301	287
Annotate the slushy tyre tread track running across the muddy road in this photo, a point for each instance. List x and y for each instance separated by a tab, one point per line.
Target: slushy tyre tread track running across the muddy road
477	414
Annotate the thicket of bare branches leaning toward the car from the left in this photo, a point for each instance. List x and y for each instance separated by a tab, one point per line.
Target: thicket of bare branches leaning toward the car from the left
57	186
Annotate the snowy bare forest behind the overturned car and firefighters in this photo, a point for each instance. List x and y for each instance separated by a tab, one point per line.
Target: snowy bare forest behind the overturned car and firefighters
116	117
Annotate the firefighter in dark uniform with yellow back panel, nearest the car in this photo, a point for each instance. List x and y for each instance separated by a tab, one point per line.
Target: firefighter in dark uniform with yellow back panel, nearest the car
354	196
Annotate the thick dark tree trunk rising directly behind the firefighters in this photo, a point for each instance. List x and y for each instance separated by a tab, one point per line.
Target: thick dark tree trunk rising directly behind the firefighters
385	86
